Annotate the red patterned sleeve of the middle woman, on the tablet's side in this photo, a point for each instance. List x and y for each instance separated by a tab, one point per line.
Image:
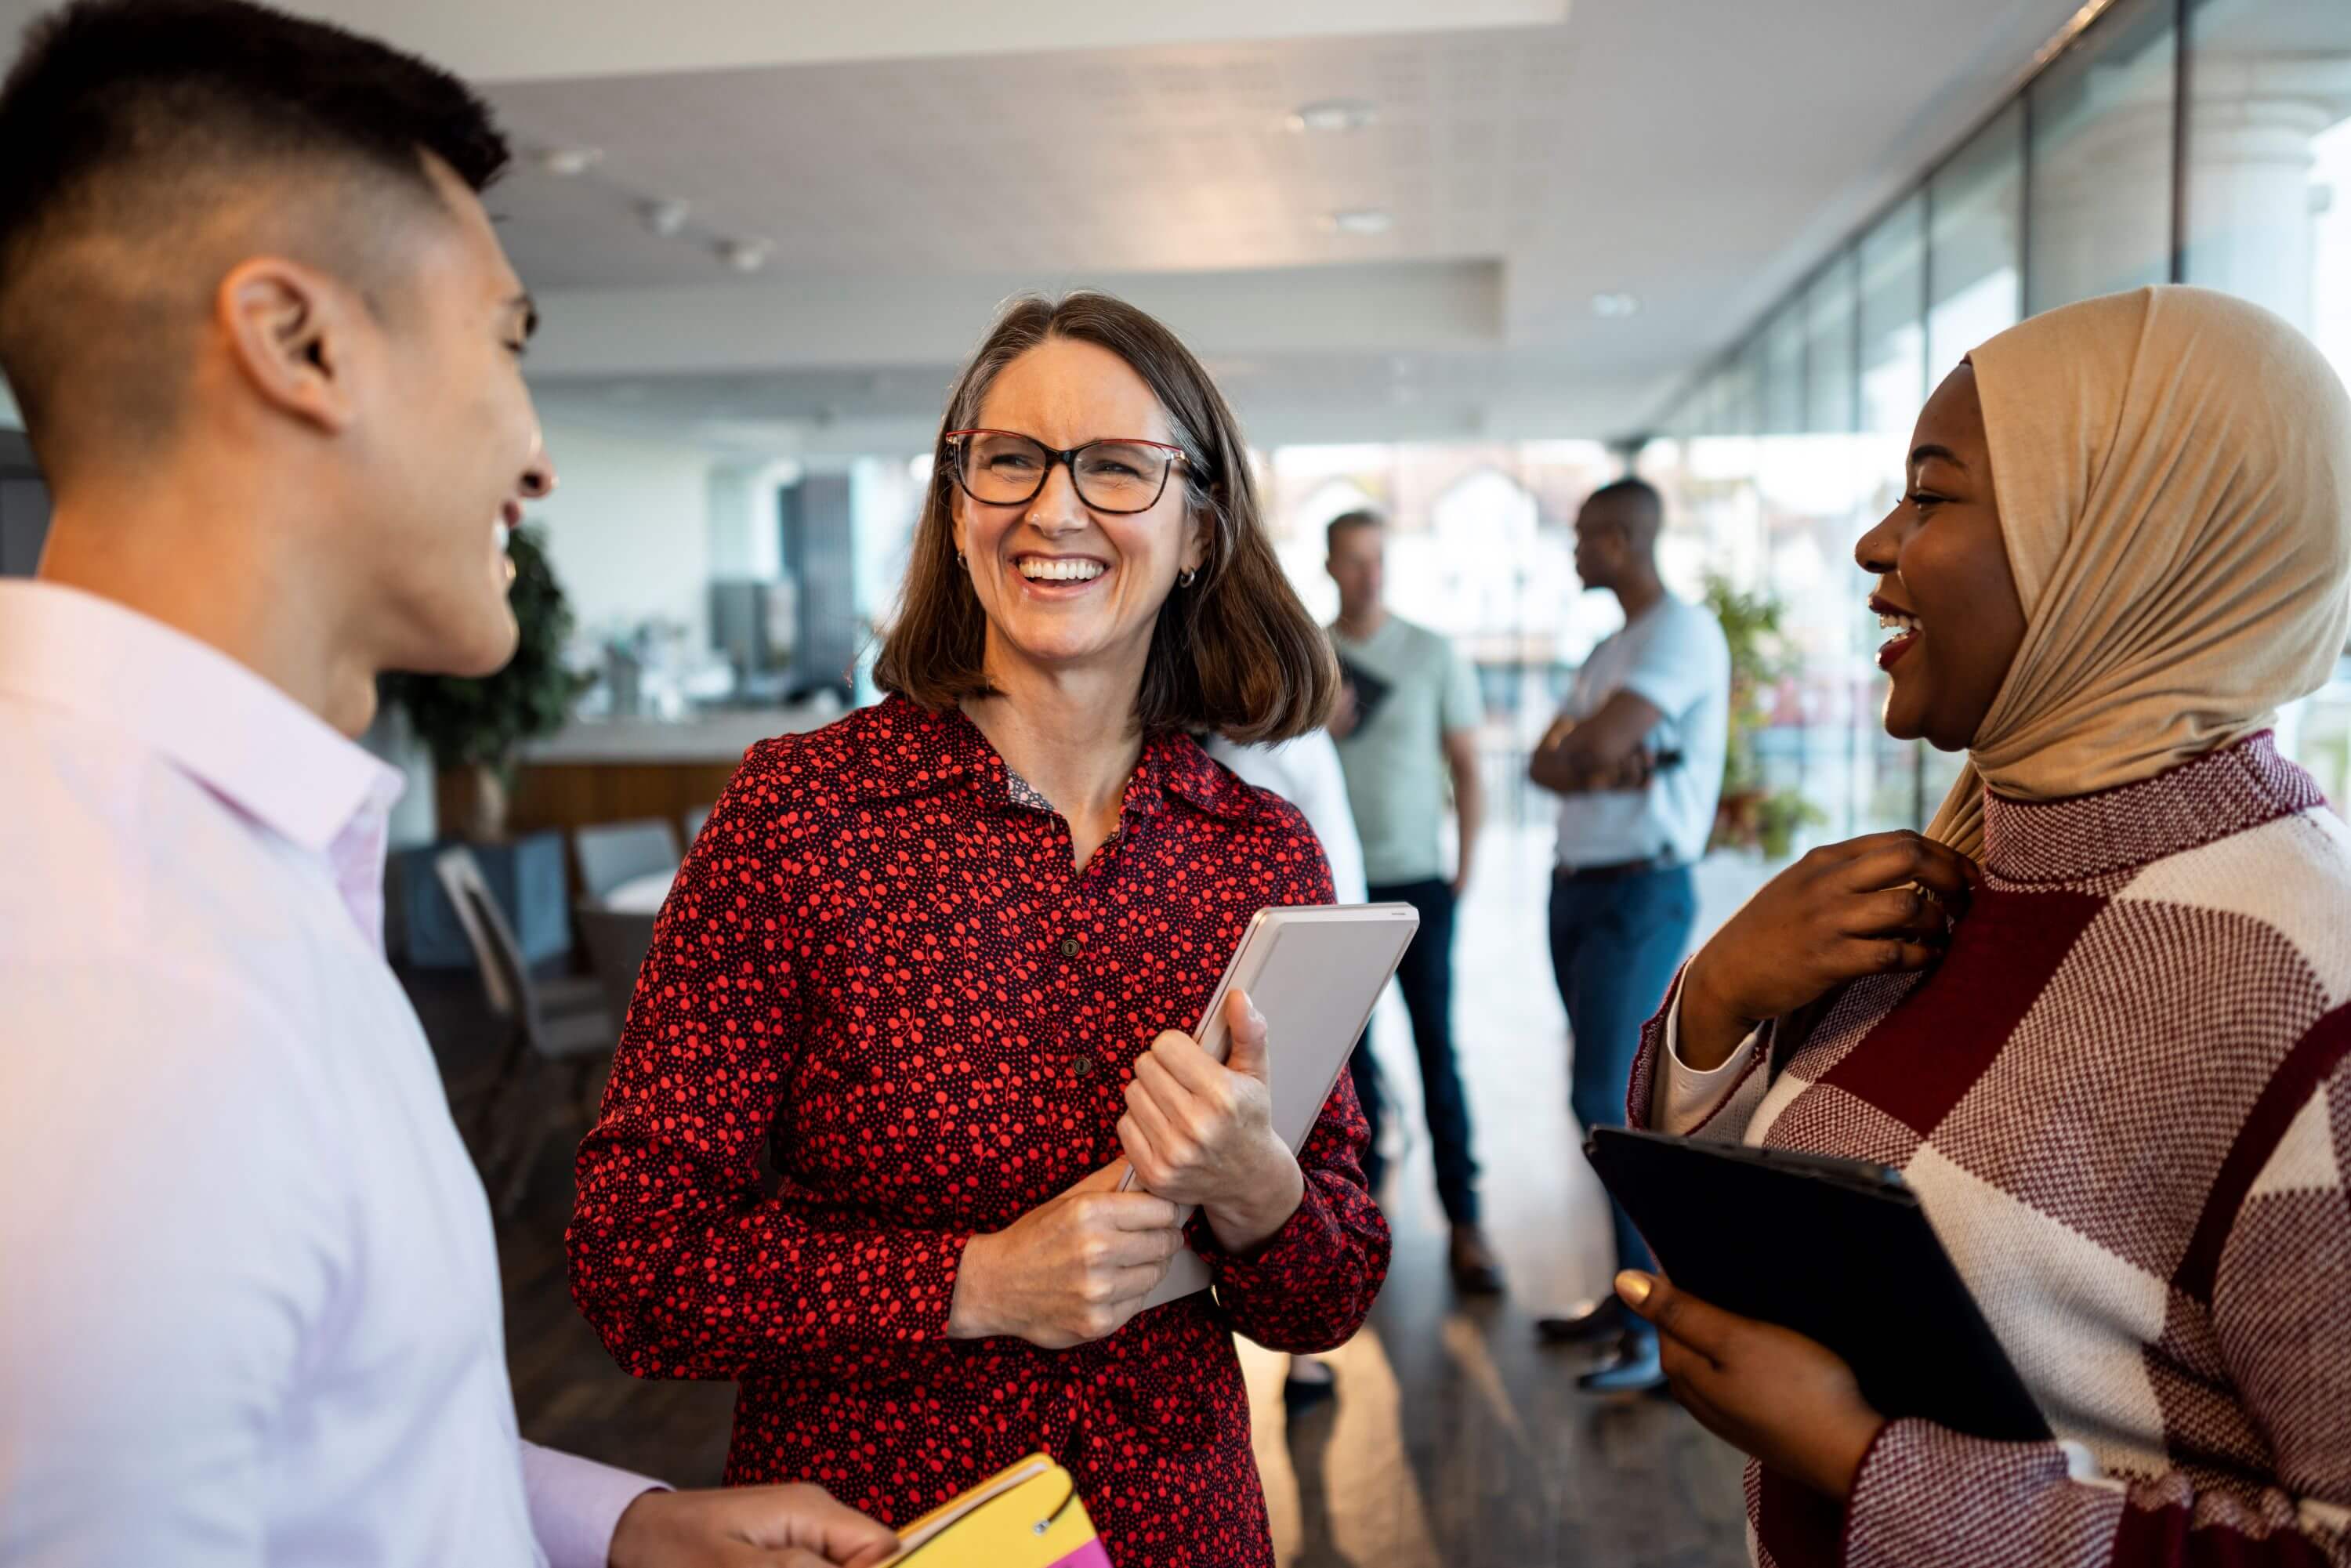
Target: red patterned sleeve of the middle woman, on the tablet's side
1313	1282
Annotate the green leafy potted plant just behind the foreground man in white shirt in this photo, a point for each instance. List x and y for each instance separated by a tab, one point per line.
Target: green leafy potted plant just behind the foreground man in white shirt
474	725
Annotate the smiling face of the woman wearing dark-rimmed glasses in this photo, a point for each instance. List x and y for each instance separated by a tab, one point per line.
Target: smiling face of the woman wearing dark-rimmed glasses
1069	589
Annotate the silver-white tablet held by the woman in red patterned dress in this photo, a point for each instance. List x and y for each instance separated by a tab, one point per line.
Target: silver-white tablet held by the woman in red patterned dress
1315	974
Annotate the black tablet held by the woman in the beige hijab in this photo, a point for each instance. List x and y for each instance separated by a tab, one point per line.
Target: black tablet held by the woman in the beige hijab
1835	1249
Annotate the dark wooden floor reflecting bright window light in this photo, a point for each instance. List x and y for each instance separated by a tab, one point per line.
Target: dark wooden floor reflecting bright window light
1456	1440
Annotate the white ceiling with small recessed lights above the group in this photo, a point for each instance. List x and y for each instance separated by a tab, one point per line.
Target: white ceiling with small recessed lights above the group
918	161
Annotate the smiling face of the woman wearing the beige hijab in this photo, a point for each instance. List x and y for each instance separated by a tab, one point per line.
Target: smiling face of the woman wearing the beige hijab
1948	596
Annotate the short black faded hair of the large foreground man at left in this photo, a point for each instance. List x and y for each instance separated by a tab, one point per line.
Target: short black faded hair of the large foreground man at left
133	126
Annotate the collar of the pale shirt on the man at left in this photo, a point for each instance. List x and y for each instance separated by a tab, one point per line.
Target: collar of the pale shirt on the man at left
217	721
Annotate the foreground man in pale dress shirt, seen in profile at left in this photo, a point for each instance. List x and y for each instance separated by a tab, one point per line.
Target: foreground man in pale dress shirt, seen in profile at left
267	351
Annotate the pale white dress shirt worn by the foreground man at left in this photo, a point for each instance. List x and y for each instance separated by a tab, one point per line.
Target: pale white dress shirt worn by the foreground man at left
248	1285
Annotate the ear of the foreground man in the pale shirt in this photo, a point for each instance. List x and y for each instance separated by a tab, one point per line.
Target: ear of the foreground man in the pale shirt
290	335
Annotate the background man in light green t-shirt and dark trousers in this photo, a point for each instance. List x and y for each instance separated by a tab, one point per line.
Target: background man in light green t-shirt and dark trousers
1407	735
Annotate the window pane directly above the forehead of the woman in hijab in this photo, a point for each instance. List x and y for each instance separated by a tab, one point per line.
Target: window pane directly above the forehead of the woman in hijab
1976	264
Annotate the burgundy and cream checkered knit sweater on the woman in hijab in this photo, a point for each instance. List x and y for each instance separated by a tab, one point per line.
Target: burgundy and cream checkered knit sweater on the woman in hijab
2126	1106
